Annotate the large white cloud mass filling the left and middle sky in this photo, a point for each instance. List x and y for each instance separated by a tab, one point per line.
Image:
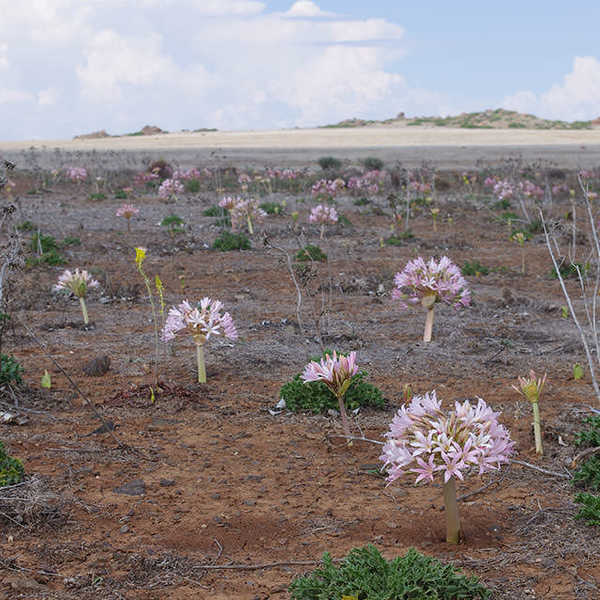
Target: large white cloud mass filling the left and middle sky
231	64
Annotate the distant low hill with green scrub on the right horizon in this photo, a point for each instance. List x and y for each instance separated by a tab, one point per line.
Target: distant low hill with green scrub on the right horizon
488	119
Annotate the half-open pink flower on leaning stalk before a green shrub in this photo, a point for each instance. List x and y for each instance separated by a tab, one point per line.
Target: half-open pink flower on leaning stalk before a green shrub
336	372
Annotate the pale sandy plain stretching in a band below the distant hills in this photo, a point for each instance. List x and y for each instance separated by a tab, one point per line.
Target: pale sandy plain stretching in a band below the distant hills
447	148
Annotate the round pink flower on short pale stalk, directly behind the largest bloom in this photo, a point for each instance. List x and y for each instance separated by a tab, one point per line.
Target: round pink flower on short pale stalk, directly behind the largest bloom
430	283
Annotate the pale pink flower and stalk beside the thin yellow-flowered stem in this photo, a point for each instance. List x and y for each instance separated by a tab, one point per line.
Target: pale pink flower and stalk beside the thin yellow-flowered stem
202	321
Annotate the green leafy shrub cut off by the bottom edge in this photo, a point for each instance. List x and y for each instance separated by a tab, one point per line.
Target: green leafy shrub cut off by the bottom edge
365	574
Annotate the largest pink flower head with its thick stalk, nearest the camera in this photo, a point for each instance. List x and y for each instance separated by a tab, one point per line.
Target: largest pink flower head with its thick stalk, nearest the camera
428	442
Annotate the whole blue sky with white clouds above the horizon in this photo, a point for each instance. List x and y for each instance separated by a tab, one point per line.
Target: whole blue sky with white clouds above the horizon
75	66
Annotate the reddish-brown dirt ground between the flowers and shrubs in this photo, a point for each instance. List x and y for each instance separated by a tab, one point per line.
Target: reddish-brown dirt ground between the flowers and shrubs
225	481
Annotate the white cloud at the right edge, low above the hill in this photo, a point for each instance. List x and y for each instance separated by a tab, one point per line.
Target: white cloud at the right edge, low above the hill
576	98
